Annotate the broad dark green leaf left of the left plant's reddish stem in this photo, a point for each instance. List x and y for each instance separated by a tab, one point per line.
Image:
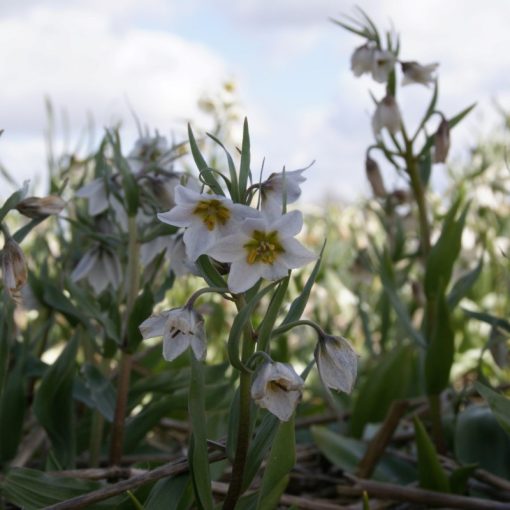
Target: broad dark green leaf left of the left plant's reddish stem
53	404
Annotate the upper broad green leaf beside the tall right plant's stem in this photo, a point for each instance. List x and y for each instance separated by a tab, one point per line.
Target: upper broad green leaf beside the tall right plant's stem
444	253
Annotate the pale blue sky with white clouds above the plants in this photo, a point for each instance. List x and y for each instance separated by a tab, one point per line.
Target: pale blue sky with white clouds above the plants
99	58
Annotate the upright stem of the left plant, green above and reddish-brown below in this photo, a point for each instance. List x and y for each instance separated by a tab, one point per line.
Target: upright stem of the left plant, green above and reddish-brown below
132	287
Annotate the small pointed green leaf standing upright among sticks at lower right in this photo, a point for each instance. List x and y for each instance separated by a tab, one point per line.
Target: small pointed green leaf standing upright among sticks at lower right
430	473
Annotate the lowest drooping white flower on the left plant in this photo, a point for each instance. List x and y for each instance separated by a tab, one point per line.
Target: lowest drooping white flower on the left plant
100	267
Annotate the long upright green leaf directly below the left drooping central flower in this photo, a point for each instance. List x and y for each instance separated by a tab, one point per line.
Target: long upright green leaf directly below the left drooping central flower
198	457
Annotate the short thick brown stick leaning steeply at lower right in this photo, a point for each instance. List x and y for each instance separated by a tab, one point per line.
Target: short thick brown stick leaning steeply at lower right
378	444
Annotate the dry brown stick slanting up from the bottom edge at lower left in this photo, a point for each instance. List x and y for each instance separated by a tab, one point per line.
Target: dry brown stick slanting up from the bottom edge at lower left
175	468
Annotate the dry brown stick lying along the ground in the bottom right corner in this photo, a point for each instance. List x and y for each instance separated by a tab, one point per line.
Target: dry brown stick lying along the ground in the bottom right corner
429	498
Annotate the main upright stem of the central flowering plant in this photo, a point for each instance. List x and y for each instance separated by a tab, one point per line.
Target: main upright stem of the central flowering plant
243	432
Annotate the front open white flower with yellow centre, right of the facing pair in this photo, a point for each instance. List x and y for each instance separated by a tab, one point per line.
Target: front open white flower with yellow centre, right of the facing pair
262	248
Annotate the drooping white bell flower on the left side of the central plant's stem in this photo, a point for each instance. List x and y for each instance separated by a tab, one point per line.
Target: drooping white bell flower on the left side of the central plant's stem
180	328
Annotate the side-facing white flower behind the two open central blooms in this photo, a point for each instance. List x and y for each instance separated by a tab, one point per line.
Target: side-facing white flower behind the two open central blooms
280	186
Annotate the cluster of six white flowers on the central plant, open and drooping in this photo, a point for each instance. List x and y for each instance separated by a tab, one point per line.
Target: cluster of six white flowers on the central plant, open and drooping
256	244
